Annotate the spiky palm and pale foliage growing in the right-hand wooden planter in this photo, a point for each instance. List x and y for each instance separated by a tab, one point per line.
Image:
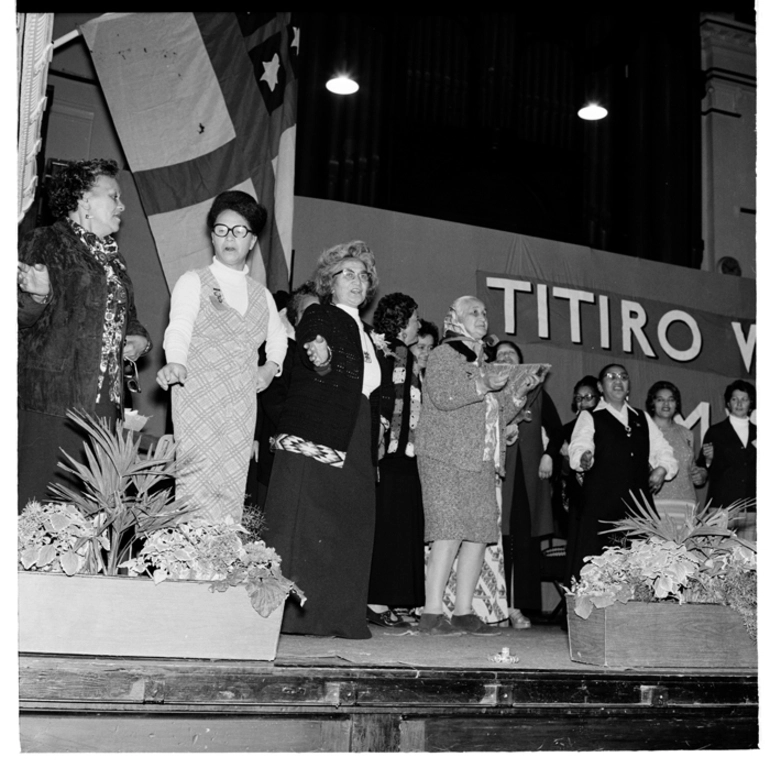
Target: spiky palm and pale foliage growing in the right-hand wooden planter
692	560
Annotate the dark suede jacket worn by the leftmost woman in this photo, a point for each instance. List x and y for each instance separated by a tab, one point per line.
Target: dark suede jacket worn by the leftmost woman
60	342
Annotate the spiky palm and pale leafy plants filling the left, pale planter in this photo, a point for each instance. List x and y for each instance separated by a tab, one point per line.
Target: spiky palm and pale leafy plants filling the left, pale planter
126	507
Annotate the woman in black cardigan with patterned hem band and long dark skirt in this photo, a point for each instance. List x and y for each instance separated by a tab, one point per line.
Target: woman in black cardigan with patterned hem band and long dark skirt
320	506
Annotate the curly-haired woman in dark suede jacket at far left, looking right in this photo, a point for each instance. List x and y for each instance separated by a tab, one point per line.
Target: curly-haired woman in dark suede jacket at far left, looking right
77	321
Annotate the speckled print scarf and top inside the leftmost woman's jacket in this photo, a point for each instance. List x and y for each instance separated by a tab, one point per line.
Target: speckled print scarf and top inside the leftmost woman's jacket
105	252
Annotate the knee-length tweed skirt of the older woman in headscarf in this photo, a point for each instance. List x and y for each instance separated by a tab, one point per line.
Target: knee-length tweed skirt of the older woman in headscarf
458	504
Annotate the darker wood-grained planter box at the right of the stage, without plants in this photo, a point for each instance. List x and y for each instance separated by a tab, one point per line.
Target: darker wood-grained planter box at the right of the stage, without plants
660	635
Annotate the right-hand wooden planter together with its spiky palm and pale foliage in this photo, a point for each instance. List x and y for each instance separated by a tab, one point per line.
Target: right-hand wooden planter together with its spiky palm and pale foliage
683	593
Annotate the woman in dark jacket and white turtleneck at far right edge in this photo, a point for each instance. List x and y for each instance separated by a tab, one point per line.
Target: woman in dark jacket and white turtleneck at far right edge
729	453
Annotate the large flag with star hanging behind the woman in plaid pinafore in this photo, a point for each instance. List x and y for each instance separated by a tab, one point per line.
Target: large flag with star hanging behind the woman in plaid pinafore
204	103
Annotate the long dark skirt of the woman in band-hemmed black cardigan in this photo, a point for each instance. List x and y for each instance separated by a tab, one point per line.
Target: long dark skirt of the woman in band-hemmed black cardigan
320	520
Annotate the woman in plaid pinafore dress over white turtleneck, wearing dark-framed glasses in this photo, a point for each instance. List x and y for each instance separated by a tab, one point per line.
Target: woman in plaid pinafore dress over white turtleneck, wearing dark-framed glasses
219	318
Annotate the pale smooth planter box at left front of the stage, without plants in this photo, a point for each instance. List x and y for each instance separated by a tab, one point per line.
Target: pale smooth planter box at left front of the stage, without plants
122	616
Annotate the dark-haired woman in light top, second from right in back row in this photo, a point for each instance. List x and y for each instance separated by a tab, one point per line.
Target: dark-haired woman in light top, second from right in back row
664	402
